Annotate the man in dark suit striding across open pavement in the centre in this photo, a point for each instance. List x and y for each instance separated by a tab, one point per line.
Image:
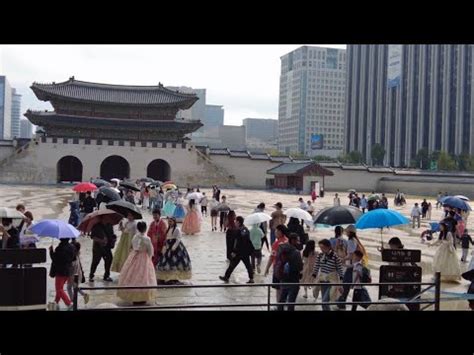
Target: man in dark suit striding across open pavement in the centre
241	251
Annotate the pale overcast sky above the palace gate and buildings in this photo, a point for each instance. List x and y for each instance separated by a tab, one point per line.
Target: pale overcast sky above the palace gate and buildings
242	78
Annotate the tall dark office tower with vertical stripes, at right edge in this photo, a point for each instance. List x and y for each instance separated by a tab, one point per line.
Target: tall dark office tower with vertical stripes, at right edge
409	97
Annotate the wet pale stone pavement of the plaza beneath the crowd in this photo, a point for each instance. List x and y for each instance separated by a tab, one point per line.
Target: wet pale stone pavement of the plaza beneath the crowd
207	250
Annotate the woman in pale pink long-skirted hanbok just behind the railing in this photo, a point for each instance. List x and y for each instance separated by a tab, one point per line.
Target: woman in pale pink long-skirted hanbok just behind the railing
138	269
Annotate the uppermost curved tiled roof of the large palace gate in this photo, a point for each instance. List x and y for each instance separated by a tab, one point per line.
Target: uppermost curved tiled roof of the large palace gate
116	94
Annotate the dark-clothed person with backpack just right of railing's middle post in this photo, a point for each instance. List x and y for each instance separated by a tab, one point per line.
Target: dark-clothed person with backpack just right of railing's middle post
290	271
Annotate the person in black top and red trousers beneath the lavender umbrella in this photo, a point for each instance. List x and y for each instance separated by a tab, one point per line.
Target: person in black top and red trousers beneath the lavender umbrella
62	258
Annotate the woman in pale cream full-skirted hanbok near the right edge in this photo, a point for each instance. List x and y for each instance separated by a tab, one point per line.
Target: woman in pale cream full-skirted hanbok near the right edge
445	259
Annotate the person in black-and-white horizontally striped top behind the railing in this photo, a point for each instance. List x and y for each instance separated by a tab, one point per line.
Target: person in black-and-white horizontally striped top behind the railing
327	269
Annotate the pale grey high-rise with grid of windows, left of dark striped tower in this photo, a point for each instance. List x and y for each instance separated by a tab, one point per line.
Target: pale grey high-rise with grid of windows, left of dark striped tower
312	97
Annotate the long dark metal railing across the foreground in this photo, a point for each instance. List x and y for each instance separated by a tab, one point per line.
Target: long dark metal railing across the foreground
436	284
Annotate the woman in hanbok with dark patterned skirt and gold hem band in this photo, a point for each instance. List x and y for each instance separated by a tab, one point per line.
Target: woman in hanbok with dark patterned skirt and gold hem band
174	264
